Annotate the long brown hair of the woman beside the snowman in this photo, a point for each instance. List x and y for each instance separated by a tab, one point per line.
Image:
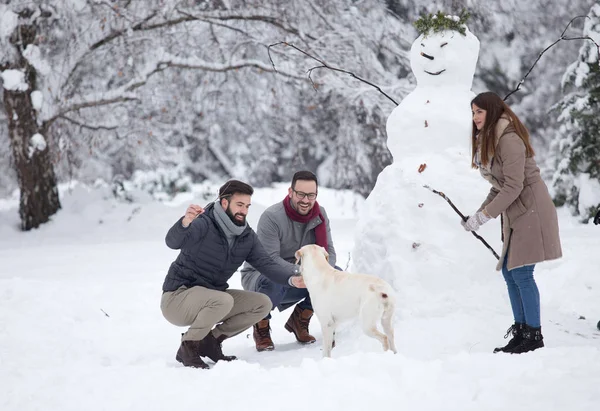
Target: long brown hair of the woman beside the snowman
495	107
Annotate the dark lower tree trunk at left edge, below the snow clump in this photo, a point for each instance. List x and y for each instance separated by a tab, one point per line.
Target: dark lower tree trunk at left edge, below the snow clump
35	173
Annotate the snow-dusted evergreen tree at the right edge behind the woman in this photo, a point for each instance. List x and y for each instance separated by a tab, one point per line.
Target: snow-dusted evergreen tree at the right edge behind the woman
576	178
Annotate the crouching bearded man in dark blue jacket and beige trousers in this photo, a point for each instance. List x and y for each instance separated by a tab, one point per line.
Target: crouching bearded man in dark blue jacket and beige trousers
214	242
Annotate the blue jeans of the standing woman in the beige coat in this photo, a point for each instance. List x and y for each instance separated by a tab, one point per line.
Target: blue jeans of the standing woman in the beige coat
523	294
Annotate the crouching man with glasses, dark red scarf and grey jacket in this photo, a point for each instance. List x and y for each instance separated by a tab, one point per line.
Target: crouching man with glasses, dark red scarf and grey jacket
284	228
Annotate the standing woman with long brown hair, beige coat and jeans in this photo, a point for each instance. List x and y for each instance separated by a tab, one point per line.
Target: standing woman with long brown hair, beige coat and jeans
502	152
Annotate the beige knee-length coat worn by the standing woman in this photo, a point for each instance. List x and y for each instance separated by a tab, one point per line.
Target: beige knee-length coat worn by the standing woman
529	223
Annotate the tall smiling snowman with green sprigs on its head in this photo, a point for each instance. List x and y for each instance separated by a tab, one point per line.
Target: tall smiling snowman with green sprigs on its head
406	234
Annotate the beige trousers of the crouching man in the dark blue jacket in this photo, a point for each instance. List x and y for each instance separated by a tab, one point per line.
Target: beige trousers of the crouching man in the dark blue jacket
201	308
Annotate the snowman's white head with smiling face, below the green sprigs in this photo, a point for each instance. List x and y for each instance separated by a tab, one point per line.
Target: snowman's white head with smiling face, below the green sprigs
445	58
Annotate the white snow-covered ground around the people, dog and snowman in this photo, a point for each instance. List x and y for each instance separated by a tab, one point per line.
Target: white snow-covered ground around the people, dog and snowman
81	328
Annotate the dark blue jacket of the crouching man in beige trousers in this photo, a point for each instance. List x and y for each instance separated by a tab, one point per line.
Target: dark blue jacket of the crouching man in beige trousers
207	260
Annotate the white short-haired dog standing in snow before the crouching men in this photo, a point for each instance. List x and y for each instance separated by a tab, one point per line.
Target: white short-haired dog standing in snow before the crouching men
337	296
